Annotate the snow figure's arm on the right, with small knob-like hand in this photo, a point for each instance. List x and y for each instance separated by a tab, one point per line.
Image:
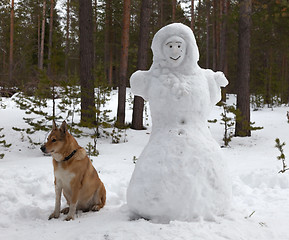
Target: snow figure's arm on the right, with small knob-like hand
216	80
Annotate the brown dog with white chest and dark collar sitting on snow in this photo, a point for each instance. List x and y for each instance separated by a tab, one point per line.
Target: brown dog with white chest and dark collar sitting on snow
74	174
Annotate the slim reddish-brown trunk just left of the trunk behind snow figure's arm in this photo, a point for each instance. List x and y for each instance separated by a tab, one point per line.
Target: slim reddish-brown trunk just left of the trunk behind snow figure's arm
123	64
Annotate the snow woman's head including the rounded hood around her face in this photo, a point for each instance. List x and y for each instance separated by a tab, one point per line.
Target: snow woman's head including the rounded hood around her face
174	46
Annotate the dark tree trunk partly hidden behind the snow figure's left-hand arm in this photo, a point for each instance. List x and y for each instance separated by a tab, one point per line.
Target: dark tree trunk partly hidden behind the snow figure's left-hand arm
146	9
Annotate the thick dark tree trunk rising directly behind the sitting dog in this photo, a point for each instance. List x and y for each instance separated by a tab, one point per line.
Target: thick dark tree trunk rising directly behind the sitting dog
86	63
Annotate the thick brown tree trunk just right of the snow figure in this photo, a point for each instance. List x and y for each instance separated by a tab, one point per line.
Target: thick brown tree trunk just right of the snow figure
243	72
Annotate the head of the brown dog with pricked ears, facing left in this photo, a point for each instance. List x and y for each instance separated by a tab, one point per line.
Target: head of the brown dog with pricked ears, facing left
56	140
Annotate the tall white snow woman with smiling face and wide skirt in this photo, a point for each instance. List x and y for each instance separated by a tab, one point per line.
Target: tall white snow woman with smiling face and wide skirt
180	175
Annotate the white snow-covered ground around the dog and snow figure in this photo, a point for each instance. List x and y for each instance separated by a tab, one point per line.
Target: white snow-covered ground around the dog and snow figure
260	208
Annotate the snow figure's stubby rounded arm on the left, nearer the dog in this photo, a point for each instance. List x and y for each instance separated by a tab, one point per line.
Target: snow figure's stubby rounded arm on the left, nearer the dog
139	84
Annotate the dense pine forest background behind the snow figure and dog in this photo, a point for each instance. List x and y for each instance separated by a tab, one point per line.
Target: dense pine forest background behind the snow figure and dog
43	48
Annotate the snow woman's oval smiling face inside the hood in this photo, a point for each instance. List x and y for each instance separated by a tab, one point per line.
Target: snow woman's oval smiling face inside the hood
174	50
